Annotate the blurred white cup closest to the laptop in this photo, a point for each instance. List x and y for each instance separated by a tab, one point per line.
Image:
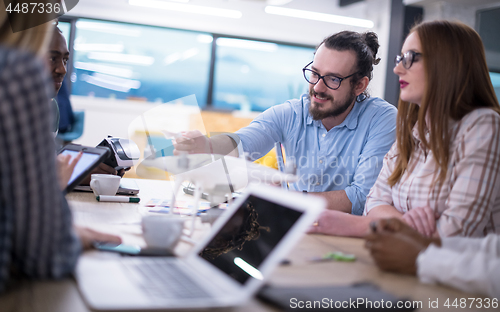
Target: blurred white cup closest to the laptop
162	232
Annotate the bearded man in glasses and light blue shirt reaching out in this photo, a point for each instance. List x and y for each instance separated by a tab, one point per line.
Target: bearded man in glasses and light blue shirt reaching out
336	134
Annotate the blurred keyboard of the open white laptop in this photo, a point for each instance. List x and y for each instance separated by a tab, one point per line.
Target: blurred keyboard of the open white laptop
165	279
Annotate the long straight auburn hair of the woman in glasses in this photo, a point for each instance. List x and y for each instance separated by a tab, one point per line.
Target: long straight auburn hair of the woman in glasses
457	82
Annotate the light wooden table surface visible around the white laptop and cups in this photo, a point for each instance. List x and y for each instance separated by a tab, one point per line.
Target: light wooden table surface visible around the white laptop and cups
63	295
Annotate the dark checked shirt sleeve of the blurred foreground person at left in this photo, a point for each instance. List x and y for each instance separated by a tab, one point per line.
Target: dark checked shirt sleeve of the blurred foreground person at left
36	234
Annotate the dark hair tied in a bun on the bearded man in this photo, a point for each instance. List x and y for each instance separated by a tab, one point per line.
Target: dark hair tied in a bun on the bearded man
364	45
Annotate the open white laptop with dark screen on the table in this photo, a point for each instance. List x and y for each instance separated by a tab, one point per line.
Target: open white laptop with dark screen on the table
243	247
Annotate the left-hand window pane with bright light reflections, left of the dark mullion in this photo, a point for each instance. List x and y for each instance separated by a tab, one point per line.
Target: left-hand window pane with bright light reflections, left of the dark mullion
117	60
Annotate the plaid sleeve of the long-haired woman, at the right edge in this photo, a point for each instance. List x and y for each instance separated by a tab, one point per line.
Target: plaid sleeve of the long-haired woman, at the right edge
474	178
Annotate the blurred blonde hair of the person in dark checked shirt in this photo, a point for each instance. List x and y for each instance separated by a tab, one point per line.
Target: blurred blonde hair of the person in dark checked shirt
34	39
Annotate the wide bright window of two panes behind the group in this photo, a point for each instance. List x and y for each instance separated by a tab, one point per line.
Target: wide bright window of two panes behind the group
155	64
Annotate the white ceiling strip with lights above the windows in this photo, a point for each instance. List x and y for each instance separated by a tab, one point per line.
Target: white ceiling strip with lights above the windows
254	23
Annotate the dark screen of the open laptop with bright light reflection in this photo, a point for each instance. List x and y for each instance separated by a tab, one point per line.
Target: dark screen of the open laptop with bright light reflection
249	236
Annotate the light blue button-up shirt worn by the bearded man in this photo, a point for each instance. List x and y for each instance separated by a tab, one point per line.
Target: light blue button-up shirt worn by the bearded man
348	157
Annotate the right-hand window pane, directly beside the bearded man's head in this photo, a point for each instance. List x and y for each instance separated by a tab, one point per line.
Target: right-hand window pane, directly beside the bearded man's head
255	75
